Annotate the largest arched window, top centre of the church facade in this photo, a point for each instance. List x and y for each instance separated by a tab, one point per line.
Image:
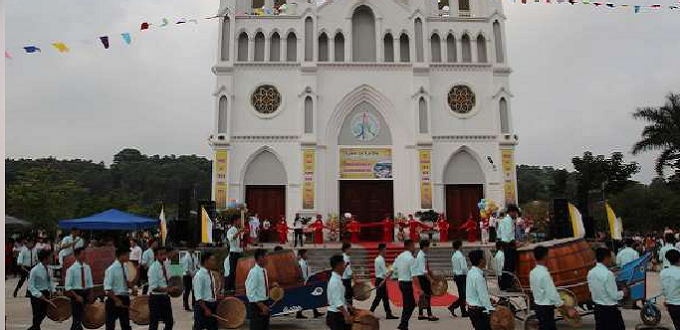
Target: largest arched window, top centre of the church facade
363	35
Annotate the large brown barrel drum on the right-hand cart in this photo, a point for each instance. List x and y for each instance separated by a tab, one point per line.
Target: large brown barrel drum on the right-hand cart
569	261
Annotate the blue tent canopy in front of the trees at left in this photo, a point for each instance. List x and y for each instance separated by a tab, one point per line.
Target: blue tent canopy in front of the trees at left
110	220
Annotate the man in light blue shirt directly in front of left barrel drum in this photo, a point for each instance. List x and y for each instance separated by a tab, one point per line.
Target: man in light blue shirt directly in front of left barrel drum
257	291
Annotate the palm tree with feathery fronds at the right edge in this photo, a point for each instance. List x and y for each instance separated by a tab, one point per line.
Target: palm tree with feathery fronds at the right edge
661	133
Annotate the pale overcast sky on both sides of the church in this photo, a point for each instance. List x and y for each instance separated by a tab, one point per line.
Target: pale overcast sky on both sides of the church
579	73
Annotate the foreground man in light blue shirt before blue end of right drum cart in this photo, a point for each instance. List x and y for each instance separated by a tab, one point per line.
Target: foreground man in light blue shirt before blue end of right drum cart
605	295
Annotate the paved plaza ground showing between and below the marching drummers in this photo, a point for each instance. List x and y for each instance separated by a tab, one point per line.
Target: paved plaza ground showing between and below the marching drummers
18	313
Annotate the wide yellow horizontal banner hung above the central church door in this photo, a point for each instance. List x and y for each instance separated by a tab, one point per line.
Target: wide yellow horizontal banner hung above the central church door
365	163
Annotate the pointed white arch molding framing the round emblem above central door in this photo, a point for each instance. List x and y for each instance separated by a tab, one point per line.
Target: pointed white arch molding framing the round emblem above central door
368	94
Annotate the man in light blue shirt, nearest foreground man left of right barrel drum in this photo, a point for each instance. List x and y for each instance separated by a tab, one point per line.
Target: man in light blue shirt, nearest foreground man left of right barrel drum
477	293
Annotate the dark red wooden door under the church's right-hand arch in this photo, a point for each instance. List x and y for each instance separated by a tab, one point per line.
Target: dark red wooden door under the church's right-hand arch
461	203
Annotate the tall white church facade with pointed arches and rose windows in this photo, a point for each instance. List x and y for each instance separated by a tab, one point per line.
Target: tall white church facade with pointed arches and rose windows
372	107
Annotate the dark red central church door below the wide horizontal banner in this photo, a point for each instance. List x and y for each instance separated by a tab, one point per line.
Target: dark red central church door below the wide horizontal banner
369	201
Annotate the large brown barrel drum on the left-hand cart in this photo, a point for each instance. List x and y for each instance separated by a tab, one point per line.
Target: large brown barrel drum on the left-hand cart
282	268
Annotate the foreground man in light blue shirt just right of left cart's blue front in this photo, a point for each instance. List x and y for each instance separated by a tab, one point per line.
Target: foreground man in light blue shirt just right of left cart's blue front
338	312
